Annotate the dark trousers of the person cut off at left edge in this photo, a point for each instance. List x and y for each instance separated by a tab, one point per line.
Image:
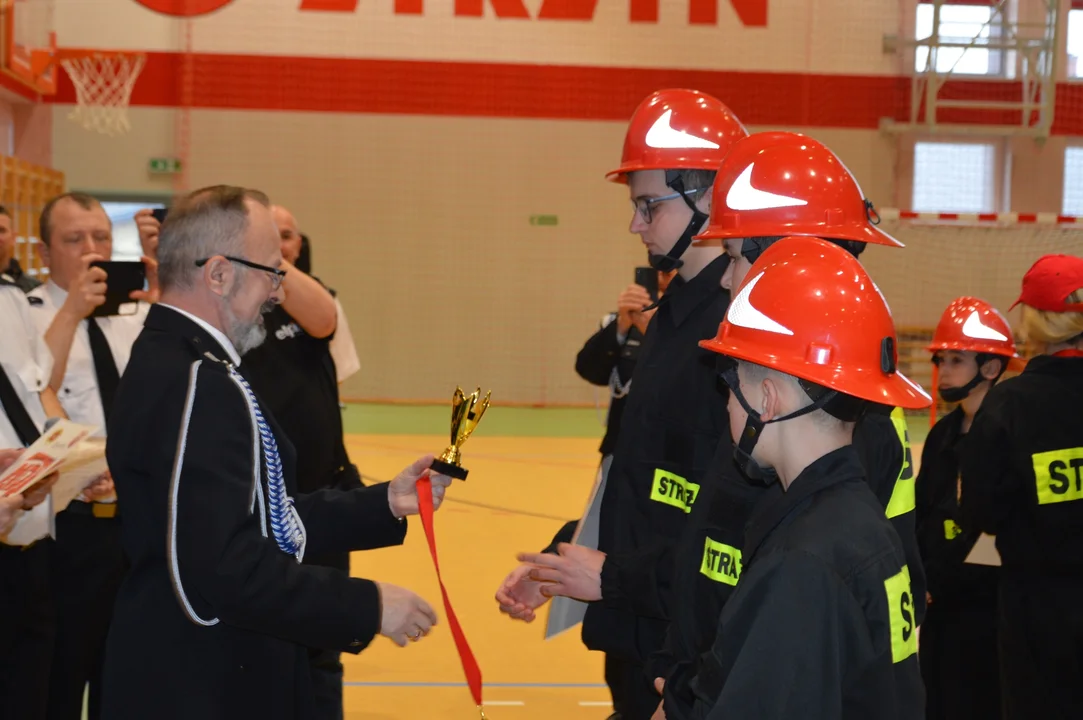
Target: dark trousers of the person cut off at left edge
27	631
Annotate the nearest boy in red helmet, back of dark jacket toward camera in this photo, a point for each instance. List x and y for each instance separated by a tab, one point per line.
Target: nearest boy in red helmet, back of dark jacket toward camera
821	625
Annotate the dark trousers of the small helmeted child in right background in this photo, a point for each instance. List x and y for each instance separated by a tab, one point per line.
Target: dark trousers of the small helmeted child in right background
959	661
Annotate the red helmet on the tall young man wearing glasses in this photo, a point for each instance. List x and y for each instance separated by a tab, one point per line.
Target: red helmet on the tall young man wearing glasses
678	130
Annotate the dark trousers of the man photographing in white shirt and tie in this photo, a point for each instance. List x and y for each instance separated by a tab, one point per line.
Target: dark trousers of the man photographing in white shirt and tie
87	569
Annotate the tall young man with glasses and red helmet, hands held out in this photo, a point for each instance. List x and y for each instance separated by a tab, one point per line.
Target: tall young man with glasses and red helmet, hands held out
674	145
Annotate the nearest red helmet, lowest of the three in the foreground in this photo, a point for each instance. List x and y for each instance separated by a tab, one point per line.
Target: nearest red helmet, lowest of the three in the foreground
808	309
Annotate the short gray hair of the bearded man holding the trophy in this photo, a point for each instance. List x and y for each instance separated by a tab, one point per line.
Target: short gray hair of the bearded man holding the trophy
207	222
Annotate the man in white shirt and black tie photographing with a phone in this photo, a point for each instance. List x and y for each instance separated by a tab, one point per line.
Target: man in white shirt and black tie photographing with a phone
89	356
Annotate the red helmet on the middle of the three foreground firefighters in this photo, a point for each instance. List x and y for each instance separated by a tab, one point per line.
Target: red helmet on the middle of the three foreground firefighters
785	184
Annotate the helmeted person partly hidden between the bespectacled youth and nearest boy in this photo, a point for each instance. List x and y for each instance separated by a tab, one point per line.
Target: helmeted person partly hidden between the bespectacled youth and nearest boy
773	184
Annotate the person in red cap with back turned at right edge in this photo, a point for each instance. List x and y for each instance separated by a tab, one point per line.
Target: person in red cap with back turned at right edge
1023	481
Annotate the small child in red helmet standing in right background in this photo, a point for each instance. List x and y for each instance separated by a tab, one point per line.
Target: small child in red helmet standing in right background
972	348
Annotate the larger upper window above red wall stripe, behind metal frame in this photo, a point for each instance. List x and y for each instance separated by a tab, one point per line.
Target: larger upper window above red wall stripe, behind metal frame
960	25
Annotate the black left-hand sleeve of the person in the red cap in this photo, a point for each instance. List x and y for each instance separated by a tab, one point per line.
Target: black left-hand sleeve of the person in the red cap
990	488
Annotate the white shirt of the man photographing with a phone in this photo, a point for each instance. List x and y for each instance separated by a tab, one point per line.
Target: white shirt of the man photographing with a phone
79	395
